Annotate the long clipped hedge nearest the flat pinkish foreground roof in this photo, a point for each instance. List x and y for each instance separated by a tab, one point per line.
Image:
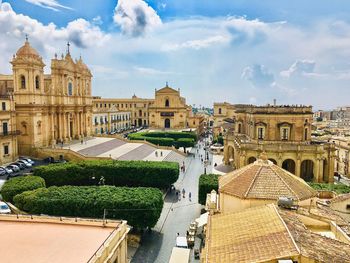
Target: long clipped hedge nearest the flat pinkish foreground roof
141	207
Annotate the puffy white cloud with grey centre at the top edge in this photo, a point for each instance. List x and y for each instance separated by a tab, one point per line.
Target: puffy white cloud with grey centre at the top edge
135	17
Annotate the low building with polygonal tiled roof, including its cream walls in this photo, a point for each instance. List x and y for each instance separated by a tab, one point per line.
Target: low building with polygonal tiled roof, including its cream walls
259	183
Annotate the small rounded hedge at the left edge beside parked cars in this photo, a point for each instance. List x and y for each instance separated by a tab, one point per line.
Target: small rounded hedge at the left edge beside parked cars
18	185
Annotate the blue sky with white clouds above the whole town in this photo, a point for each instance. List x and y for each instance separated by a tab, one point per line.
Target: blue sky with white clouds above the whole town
297	52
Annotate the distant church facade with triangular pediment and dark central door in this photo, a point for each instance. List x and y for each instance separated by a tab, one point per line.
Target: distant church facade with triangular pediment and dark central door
169	110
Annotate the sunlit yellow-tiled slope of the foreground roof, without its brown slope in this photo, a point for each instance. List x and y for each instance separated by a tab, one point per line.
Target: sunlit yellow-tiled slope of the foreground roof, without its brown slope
253	235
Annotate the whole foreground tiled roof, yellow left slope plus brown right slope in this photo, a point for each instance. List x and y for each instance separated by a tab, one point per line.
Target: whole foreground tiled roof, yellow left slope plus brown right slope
266	233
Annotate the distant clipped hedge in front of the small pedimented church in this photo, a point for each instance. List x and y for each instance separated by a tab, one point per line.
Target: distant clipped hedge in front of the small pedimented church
164	138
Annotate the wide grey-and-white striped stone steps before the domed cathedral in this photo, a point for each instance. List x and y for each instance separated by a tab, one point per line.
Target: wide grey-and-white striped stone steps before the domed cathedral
121	150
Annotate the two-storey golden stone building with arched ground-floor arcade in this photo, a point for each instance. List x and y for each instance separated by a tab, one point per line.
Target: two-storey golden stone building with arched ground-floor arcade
284	132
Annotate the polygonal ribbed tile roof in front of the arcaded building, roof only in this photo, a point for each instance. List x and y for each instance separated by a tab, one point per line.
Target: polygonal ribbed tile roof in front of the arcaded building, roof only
264	180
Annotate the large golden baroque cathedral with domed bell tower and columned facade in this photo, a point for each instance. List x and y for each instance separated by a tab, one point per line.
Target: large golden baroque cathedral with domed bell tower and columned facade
49	108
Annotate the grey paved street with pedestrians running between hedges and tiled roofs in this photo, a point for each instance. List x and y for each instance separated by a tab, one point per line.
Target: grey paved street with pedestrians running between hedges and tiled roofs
175	218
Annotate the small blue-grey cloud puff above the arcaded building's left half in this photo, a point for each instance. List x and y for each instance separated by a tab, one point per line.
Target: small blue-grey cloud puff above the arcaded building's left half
258	75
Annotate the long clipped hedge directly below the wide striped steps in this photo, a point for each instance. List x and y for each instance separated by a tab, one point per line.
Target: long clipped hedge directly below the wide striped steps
118	173
